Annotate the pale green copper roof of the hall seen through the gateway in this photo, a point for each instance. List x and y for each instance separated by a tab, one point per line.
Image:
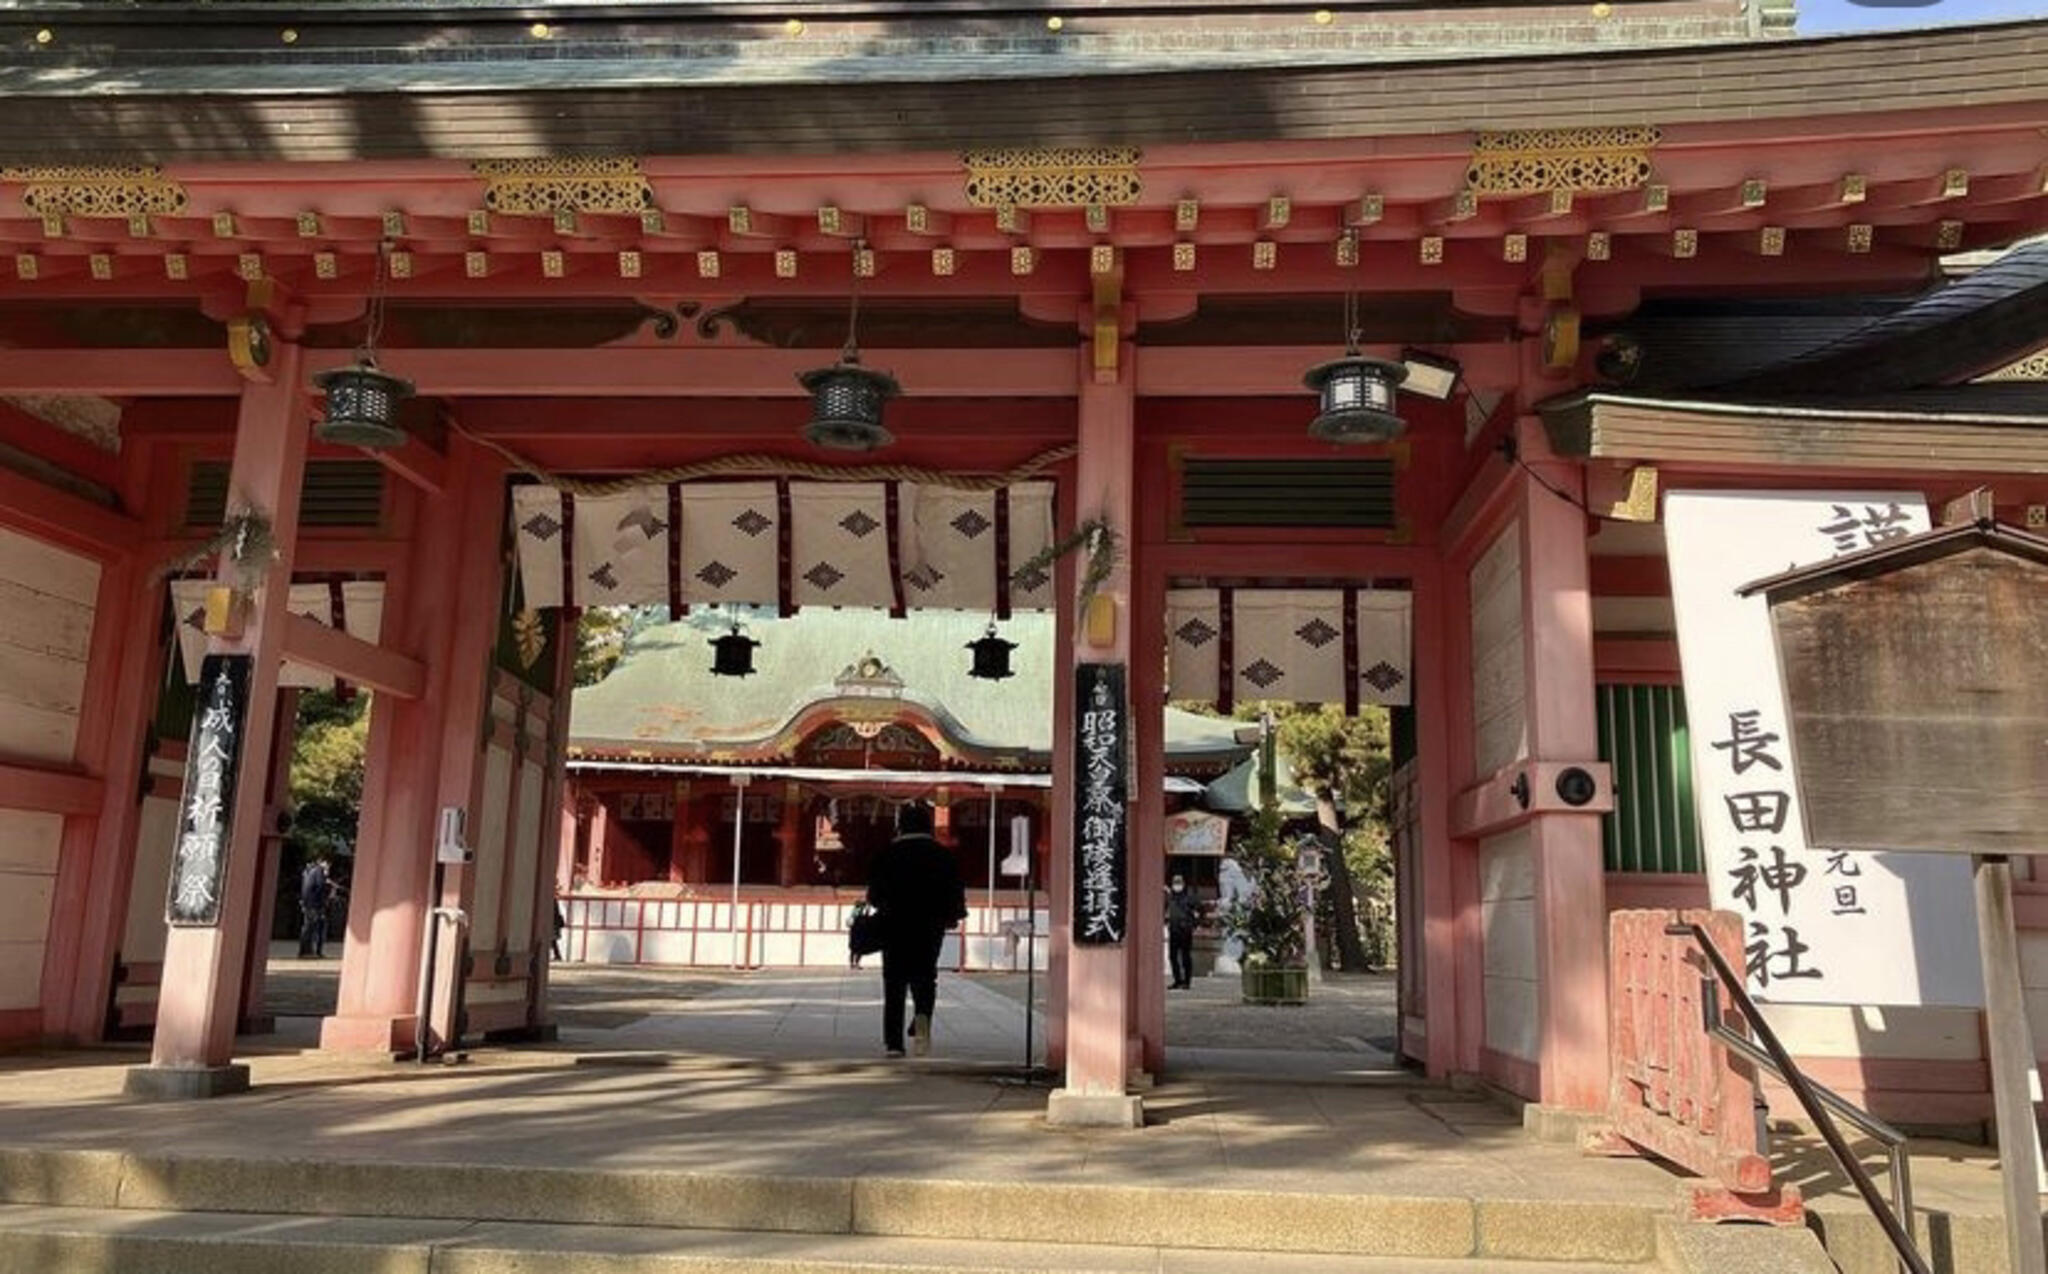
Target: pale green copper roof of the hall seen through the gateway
665	699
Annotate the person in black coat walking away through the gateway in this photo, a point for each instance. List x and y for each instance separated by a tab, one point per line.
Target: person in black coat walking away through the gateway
916	890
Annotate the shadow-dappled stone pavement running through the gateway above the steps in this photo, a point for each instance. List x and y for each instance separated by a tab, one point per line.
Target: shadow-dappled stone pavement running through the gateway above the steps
708	1074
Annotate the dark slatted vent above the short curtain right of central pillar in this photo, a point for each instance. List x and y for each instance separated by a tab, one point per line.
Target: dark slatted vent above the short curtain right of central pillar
1357	495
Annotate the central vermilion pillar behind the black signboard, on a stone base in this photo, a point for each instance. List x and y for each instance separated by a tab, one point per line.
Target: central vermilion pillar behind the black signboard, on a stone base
1099	999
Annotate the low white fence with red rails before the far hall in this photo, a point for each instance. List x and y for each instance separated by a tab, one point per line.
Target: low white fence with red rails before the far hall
771	933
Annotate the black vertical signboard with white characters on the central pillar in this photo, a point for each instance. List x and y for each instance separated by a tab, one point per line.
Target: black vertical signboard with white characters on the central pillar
1101	806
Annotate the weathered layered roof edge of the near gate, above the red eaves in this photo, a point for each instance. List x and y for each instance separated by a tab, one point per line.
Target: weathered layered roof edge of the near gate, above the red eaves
480	103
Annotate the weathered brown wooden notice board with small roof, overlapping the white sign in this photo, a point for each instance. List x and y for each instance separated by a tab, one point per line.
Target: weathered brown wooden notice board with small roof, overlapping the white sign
1918	693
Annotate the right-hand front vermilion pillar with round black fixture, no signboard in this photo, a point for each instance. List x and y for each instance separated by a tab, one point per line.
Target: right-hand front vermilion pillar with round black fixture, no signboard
1572	906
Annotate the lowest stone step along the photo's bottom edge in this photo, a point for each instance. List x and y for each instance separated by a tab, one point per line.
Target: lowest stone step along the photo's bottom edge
144	1242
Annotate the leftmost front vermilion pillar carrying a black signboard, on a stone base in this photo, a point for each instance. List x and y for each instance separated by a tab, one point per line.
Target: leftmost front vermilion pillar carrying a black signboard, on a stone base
200	1003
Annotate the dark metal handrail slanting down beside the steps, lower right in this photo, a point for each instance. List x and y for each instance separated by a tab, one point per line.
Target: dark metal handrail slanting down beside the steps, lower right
1814	1099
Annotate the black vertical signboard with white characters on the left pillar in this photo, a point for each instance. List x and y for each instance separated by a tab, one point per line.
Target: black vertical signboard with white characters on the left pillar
208	812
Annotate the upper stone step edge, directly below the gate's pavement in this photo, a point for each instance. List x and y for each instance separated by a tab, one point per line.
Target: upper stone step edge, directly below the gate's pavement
871	1205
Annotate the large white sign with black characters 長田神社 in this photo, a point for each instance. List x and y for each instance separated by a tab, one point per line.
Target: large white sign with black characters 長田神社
1822	927
